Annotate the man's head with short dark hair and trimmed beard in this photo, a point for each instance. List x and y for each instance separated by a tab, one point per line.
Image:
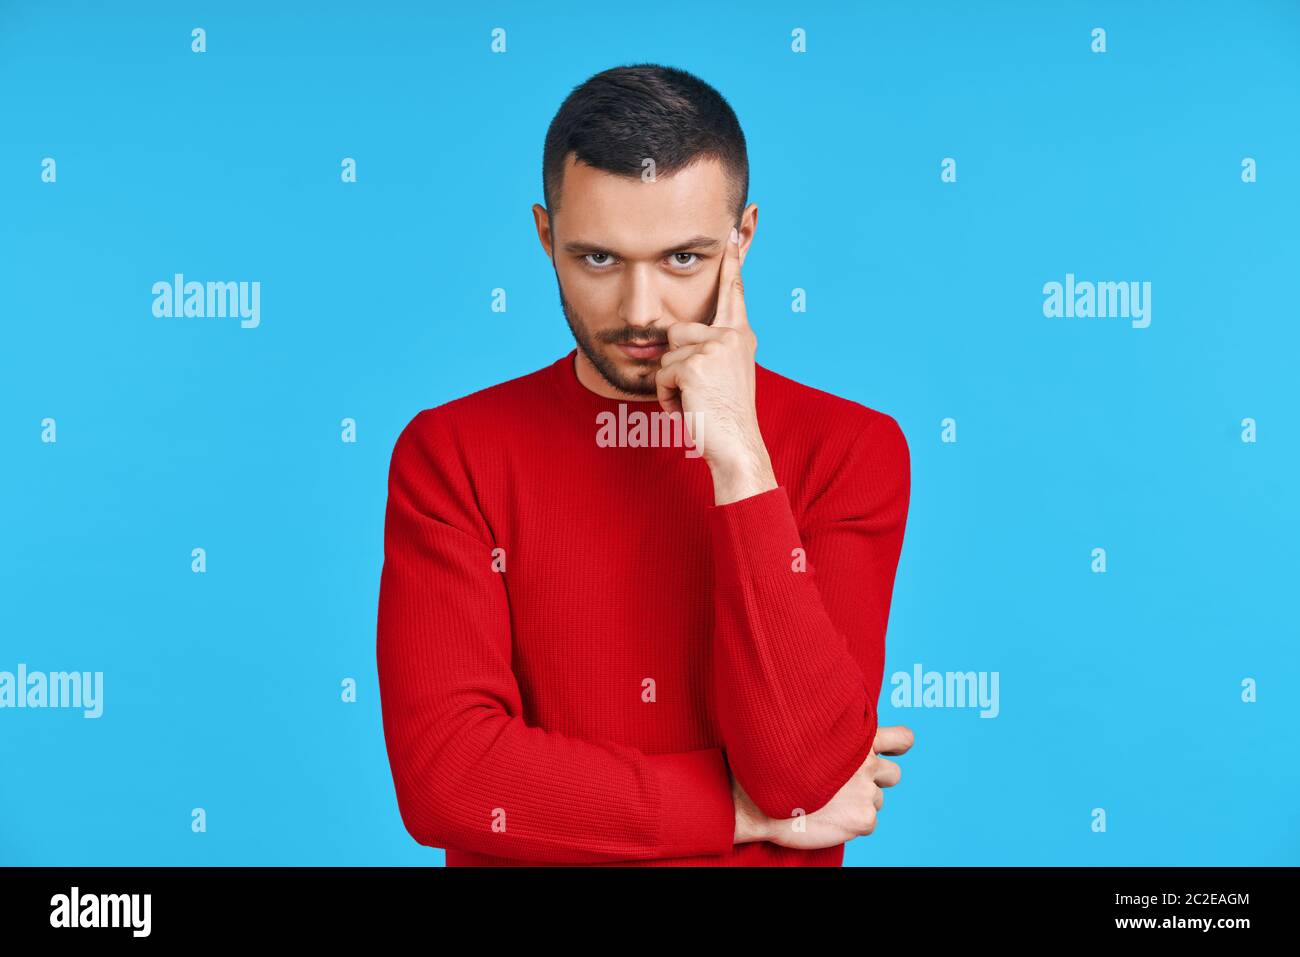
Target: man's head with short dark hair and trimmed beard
644	175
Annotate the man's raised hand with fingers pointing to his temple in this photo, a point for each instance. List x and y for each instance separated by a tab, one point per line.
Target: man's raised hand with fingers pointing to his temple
708	374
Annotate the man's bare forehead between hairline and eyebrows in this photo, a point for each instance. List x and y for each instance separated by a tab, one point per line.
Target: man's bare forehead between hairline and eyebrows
634	216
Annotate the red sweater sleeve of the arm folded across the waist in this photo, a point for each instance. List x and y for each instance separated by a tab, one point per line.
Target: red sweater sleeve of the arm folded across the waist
469	772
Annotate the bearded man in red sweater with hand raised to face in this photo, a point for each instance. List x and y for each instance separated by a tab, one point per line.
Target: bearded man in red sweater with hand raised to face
597	649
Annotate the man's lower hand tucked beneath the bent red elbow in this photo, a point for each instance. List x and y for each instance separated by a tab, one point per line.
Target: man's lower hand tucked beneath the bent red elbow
853	811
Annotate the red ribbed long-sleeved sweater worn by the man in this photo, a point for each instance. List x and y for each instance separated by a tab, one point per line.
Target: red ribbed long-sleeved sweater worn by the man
577	646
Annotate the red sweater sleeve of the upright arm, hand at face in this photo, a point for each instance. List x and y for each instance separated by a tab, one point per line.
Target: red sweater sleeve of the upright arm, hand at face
799	648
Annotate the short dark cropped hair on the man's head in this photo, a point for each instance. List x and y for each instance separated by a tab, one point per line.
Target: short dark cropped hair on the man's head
622	116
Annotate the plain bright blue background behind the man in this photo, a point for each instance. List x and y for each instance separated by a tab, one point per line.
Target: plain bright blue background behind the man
1119	691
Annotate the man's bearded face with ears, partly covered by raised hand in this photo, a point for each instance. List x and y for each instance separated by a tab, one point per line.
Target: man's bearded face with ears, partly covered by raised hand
634	258
